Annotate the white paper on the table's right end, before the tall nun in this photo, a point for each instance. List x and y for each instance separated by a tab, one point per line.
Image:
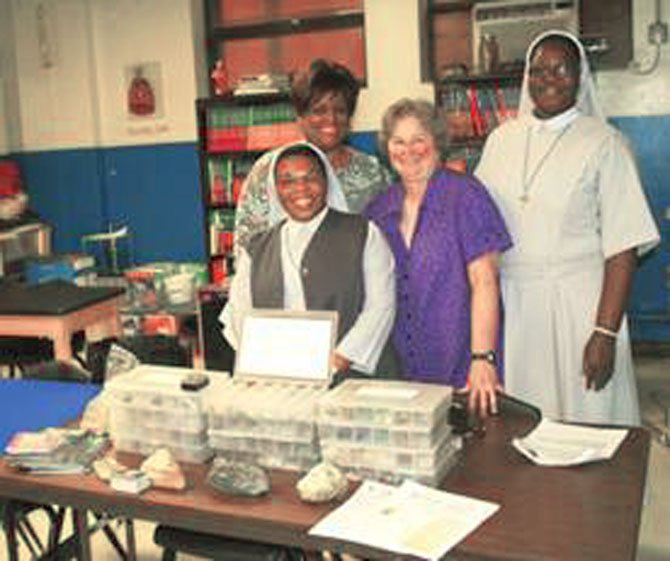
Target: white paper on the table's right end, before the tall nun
560	444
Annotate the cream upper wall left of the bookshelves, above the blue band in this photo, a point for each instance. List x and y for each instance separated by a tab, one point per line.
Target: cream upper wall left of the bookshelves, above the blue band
80	101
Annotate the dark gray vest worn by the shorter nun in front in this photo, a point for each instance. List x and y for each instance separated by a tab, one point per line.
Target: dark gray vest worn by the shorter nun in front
331	268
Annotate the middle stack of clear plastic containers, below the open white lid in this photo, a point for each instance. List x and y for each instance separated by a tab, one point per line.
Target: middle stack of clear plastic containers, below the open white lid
267	421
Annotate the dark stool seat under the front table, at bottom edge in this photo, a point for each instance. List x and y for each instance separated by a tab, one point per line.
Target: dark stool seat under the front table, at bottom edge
174	540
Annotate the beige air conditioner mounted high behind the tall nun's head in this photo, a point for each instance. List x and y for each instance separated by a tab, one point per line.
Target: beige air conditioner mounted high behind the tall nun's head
515	23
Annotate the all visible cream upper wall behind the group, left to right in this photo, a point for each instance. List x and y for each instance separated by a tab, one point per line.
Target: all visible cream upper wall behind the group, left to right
81	100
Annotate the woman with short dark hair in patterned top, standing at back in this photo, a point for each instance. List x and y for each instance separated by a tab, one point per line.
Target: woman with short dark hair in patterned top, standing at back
325	99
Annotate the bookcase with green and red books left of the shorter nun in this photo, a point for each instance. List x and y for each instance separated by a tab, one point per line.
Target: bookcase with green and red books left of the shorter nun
232	134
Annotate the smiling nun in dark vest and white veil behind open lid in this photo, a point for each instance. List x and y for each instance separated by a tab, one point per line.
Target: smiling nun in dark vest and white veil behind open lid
318	256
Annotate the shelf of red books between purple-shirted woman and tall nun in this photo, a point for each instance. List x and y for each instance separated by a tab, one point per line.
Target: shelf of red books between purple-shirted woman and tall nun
472	106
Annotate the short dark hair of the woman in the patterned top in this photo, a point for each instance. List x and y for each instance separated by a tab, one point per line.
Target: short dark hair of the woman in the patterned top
324	76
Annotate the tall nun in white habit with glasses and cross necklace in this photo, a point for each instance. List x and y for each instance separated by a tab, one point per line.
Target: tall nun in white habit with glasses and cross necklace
568	188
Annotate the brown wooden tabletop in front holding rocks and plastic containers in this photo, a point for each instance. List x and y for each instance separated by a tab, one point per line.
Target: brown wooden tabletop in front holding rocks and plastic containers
585	513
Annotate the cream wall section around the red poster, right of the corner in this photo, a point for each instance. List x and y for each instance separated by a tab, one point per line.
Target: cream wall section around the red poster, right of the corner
131	32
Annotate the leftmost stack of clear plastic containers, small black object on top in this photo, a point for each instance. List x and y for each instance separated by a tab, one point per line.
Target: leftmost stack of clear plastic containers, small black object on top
150	410
